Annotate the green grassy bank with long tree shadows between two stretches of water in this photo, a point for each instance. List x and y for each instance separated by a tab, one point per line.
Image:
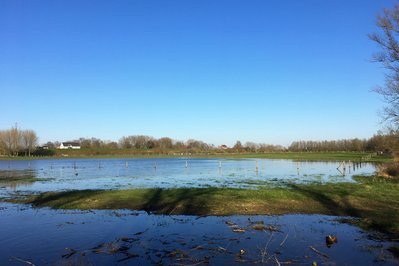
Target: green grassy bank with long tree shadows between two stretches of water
374	200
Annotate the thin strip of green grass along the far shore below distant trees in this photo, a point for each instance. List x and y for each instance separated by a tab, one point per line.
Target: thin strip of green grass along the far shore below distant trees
127	153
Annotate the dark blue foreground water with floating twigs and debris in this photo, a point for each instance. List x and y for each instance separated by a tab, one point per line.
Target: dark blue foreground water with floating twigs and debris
47	237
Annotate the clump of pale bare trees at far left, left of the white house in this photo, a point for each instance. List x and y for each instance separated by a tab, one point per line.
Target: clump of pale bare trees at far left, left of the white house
15	142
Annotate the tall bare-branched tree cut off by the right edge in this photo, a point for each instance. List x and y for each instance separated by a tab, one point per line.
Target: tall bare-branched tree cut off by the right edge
387	40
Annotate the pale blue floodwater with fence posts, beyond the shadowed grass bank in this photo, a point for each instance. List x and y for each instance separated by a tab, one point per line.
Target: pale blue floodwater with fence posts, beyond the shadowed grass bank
60	175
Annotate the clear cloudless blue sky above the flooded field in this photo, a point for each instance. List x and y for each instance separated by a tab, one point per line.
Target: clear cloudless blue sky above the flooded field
219	71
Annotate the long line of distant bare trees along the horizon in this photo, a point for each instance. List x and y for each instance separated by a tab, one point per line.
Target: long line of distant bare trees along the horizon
17	142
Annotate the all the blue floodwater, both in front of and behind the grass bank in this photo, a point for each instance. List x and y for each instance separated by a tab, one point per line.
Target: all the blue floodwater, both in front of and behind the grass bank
42	236
